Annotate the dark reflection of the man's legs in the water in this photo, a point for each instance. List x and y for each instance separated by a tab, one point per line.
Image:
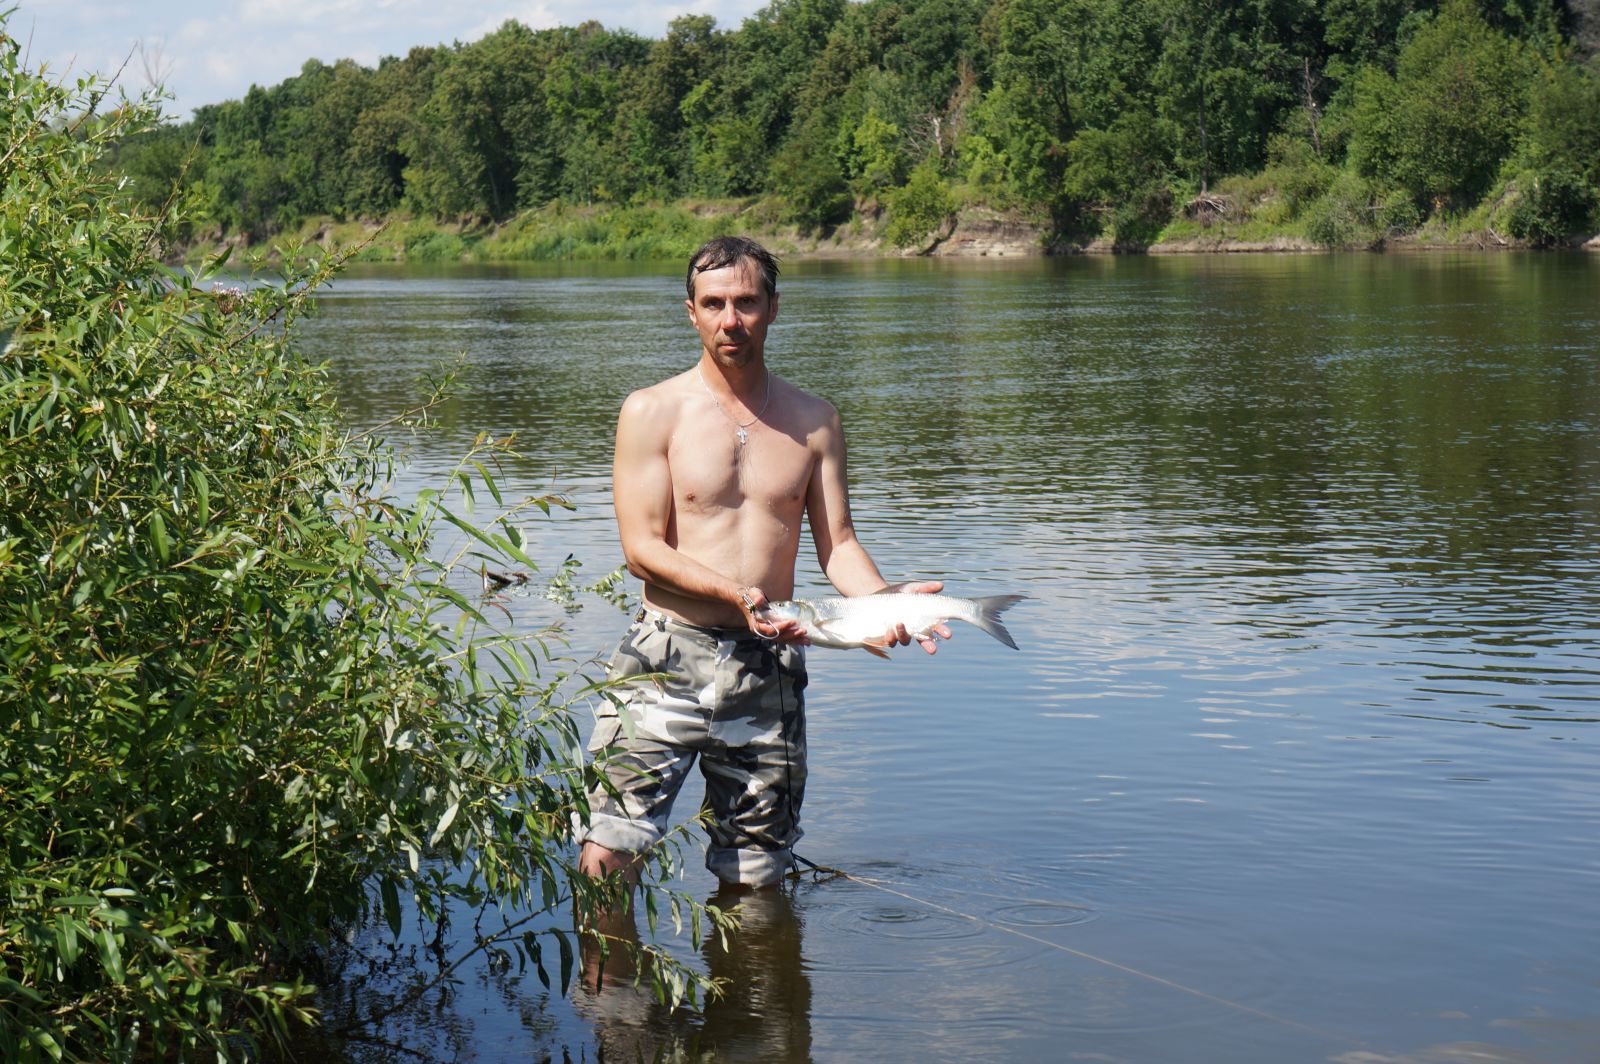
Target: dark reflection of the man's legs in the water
764	1014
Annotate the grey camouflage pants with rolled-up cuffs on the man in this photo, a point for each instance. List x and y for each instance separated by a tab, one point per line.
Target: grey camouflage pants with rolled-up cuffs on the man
732	700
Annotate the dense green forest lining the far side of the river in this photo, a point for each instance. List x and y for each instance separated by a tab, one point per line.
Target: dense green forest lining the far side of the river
1343	121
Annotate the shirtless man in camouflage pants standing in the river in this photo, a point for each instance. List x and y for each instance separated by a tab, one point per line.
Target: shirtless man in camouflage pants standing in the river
714	471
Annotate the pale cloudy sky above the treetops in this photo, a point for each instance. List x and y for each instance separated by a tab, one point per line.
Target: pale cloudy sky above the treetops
206	54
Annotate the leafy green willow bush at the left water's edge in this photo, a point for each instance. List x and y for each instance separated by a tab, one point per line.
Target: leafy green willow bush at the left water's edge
242	708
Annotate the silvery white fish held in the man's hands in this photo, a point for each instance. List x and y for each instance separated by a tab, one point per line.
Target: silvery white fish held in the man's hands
863	620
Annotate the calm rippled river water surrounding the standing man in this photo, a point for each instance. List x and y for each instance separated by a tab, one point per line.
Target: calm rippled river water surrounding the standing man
1298	759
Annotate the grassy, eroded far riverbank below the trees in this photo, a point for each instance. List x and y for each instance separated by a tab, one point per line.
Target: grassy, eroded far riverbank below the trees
674	231
